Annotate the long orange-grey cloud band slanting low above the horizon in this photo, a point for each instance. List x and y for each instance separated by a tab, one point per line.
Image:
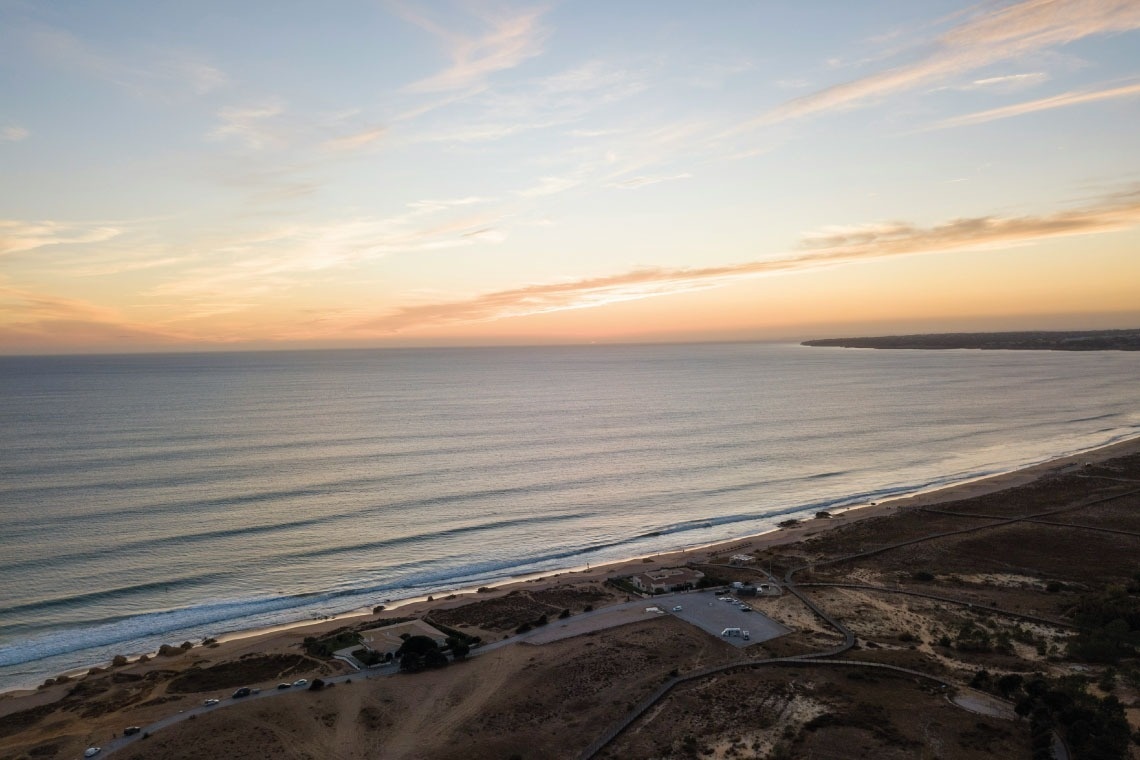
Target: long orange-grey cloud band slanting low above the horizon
830	248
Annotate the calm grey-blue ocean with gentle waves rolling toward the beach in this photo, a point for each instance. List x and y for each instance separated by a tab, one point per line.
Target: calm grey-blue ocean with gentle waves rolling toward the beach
153	500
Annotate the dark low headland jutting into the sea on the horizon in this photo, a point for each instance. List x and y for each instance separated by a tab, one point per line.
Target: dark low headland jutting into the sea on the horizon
1121	340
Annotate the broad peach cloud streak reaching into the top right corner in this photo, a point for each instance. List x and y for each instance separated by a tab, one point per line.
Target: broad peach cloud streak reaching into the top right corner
1003	35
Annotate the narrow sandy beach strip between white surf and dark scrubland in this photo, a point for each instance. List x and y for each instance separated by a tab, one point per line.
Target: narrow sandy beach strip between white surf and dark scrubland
276	636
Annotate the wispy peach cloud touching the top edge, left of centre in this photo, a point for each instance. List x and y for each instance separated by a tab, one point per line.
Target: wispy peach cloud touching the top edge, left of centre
508	40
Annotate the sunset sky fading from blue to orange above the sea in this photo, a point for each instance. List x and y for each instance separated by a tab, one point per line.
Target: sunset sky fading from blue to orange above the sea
202	176
